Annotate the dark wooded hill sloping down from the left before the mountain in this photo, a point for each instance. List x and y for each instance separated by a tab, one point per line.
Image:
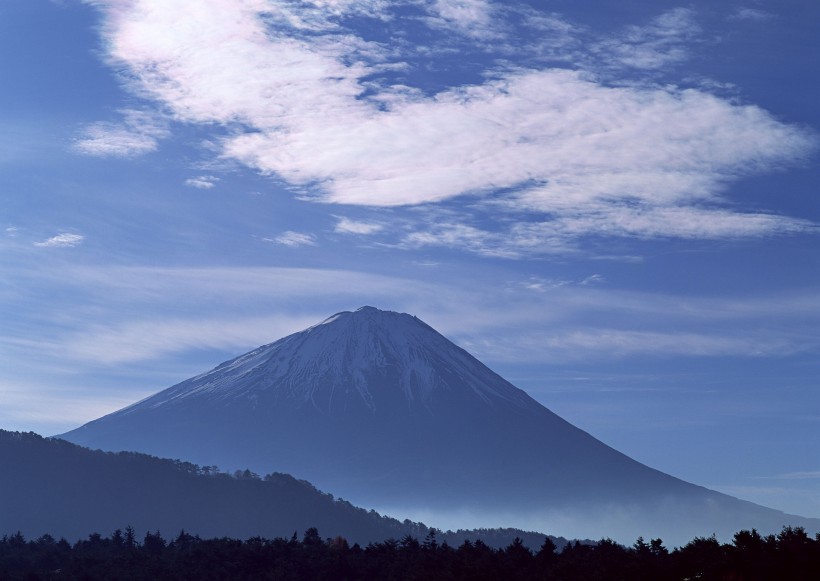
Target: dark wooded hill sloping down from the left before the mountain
54	487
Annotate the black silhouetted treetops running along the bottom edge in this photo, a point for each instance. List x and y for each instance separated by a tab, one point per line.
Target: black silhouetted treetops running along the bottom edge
792	554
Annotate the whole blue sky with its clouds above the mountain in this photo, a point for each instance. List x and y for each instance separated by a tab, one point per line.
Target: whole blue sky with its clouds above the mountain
612	204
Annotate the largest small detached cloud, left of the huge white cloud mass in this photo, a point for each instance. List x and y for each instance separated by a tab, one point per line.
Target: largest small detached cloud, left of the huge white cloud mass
137	134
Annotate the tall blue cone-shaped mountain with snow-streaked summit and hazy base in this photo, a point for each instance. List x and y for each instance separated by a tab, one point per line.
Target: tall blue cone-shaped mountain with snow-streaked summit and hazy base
381	409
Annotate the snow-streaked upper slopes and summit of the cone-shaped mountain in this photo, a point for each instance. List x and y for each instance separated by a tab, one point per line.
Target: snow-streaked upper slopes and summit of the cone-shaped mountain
361	358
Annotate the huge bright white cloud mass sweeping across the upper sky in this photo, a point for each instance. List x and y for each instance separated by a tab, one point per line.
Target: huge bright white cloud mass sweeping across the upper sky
625	161
